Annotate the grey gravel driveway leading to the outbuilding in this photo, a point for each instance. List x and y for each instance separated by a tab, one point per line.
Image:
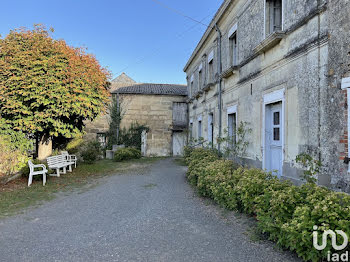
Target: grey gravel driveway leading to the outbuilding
153	216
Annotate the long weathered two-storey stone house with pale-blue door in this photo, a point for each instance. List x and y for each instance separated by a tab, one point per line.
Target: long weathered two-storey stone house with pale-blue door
282	67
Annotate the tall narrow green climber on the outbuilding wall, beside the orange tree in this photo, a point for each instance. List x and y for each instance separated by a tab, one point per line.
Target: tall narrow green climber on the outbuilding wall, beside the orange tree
114	125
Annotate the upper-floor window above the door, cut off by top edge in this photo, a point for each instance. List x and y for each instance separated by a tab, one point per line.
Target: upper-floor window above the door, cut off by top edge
273	11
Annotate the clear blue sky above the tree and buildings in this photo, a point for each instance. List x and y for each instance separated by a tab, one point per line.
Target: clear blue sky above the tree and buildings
147	41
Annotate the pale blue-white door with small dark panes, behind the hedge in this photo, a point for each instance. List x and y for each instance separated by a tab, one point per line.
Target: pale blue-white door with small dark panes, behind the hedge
273	138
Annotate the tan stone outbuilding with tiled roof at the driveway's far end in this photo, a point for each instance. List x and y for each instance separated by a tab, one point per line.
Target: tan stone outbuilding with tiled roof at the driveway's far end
161	107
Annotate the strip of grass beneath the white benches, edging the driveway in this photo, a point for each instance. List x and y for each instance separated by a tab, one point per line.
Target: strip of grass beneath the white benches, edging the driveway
16	196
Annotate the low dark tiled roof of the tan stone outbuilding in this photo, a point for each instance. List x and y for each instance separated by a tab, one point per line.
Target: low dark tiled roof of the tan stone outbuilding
153	89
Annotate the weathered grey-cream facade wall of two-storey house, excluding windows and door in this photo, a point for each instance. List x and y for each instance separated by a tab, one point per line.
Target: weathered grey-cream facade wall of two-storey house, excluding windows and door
312	48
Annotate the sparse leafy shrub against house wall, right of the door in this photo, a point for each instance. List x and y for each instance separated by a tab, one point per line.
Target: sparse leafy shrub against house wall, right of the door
312	167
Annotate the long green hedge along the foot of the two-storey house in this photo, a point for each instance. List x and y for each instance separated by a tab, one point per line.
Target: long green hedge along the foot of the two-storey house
285	212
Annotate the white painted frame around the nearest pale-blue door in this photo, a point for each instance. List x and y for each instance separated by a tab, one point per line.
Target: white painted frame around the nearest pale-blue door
273	97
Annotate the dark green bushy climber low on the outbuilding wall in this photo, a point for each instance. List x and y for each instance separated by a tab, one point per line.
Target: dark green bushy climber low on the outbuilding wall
132	137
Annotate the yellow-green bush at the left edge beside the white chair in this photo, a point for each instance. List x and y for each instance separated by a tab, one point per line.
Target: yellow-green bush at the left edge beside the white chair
14	147
